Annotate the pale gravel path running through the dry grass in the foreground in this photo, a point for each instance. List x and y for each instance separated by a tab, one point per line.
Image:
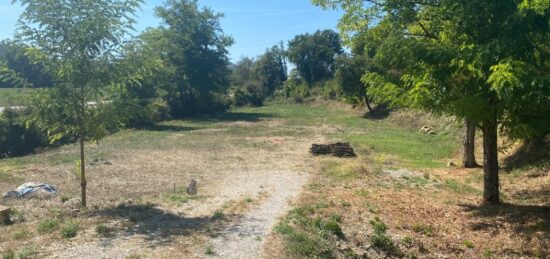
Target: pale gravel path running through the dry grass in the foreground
246	238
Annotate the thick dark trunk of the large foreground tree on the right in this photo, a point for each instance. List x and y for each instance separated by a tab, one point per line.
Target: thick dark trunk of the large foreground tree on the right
490	163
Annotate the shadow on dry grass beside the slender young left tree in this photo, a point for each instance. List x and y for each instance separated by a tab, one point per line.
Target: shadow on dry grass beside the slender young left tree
161	226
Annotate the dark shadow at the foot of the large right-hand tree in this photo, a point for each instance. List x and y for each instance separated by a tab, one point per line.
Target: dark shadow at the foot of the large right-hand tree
525	219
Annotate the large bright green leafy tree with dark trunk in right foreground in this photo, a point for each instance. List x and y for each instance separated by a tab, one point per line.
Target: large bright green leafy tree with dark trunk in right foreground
483	61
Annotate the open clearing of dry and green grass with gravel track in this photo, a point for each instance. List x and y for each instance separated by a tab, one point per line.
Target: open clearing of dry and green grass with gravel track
252	167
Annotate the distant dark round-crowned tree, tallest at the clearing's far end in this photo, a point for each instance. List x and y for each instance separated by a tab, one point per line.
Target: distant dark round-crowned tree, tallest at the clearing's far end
315	55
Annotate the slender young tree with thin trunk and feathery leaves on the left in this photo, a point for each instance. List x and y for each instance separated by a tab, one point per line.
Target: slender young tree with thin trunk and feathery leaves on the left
78	41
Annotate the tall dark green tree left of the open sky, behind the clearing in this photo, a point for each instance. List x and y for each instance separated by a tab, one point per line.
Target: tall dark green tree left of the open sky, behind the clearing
197	53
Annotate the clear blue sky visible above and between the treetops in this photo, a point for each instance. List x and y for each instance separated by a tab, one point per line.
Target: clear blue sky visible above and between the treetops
254	24
